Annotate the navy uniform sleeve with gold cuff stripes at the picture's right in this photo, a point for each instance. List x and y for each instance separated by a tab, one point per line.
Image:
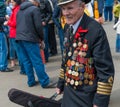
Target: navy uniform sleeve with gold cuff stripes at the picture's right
104	69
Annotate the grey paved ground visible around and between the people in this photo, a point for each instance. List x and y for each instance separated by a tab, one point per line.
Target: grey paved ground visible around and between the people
15	80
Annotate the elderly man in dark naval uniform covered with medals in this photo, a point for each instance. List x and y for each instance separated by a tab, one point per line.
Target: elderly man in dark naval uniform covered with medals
87	70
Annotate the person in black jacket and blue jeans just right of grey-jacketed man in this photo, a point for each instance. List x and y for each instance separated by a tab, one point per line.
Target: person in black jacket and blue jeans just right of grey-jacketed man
46	15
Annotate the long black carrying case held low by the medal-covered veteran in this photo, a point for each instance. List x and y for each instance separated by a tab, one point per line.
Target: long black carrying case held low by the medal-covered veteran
29	100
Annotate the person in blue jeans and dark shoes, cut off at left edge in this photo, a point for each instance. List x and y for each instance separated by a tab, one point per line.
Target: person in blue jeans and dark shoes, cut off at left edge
3	40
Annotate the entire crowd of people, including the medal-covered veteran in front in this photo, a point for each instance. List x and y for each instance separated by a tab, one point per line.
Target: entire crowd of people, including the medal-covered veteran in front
87	70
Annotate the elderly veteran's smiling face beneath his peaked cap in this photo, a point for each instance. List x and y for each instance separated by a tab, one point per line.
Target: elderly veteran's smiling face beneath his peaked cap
73	11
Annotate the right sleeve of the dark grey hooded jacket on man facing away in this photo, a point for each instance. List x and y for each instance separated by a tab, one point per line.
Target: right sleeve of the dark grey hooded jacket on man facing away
38	23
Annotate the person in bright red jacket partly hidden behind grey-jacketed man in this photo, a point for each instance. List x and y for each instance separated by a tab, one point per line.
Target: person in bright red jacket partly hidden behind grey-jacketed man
12	35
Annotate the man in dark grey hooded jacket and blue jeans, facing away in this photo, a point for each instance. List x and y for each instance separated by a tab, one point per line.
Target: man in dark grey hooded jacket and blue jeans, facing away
29	37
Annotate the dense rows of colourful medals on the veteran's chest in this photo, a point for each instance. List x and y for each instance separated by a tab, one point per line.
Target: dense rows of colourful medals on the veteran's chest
79	69
